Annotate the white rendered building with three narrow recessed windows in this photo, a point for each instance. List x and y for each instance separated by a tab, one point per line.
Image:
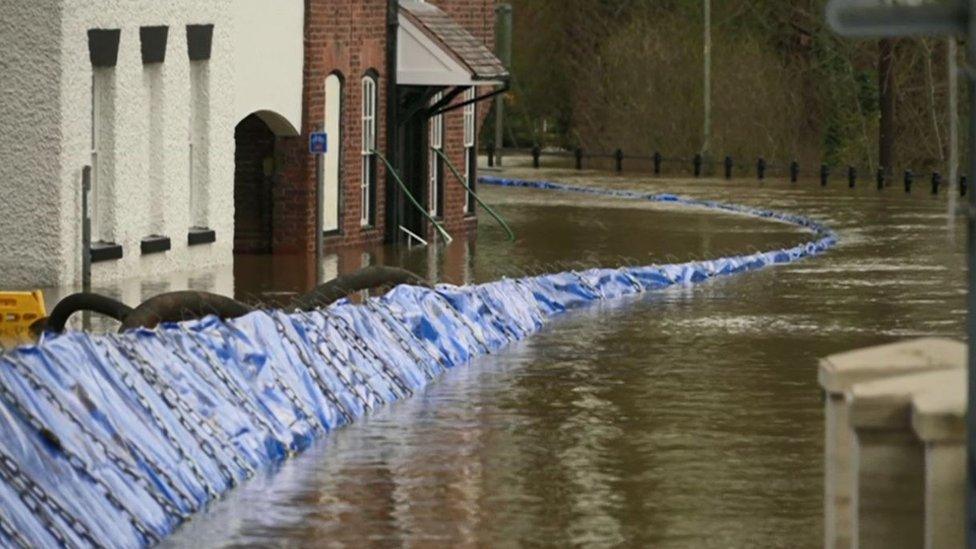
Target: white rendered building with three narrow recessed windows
147	93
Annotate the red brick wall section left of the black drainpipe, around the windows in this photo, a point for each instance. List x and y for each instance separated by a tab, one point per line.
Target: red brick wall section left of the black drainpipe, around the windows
346	37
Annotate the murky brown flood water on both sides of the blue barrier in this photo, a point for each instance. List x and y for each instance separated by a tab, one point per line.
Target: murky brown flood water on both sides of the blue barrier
689	417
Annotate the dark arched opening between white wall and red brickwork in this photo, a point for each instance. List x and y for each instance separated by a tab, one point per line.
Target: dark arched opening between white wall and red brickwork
253	175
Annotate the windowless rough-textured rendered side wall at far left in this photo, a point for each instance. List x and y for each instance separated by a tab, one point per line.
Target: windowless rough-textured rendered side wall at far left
30	132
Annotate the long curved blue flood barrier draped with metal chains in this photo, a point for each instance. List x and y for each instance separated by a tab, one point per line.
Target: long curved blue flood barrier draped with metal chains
114	440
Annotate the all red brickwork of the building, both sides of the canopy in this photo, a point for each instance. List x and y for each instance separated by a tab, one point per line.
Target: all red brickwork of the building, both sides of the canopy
348	37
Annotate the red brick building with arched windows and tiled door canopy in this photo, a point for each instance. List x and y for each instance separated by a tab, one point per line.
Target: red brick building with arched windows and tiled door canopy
395	77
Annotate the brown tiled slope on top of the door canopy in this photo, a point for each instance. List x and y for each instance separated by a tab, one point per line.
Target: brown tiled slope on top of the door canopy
457	41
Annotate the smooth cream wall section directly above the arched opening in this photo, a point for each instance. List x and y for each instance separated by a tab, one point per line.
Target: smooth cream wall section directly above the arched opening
269	61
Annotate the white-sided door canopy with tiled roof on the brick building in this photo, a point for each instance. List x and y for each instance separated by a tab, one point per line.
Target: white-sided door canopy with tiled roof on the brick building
433	50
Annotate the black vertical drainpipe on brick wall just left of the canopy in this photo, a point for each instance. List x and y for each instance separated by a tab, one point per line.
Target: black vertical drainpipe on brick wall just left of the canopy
394	202
